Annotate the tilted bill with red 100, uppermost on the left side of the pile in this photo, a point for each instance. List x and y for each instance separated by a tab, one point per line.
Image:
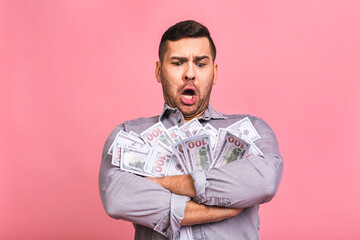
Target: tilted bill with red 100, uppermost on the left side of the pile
156	133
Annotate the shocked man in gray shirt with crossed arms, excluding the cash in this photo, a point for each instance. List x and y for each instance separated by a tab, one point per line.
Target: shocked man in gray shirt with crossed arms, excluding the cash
220	203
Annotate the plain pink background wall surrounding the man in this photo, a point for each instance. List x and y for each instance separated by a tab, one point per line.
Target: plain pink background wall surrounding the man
72	70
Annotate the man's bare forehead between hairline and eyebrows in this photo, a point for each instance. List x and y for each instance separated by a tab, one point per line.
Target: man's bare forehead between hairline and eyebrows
188	46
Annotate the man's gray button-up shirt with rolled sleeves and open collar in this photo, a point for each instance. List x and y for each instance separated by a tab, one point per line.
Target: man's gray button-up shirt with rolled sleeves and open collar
157	213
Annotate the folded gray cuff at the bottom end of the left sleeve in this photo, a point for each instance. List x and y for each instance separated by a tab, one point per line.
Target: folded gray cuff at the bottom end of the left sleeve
169	226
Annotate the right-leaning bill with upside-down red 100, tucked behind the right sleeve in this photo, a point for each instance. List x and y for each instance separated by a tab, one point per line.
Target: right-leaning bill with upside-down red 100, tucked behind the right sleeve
233	148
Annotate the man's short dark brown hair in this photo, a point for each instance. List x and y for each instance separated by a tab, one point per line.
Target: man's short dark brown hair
185	29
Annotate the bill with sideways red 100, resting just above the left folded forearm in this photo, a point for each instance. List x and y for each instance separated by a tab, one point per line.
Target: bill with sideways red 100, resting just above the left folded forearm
158	160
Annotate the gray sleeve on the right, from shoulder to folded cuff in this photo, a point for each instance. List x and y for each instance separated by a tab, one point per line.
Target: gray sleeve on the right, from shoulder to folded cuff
246	182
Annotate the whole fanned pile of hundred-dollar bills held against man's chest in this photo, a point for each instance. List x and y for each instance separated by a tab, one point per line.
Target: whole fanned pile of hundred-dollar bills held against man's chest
158	151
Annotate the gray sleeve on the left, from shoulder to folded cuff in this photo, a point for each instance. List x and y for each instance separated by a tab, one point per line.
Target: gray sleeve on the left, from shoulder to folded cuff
133	198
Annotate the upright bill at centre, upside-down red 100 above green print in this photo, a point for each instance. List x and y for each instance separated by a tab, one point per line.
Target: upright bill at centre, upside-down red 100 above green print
198	151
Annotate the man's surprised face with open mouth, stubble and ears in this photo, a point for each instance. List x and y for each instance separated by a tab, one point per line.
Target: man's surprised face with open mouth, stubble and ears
187	73
